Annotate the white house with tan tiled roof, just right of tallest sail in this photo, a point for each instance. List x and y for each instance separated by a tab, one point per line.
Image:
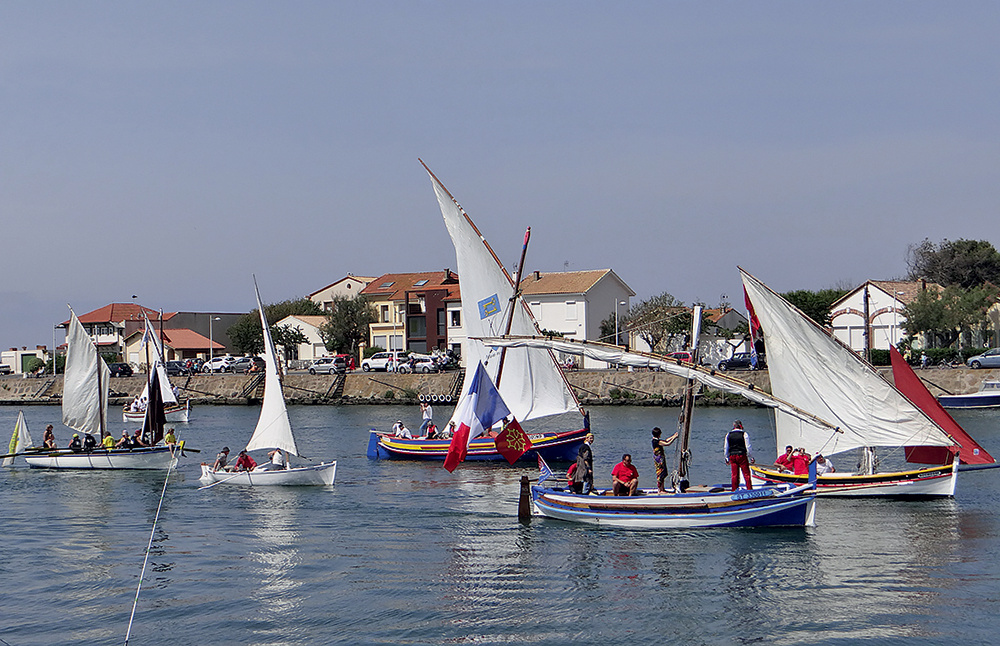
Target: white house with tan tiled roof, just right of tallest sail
573	303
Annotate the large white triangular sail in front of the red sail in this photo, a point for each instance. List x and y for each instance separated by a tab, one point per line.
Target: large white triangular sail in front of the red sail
812	370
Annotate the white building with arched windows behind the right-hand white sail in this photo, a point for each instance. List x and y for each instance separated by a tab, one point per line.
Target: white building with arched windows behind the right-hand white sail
881	317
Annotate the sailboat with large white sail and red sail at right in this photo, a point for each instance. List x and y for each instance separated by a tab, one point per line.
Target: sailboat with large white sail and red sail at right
813	370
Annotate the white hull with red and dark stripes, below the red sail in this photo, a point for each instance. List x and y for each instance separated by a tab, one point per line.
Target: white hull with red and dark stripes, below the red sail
933	482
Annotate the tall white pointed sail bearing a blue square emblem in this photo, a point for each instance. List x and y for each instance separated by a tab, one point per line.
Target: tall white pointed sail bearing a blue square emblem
531	383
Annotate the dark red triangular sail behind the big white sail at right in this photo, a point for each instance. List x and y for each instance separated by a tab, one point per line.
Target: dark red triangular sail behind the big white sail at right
908	383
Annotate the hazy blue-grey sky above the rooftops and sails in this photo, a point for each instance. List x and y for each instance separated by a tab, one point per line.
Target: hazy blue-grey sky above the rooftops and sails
172	150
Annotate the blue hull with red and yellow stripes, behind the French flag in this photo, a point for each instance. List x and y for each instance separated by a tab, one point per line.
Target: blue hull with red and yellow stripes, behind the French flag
558	447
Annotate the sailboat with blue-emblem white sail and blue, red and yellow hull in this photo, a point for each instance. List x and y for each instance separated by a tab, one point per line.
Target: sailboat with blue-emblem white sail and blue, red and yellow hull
530	381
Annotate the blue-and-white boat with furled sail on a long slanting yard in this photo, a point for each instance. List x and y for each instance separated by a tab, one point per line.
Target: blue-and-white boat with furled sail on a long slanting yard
686	507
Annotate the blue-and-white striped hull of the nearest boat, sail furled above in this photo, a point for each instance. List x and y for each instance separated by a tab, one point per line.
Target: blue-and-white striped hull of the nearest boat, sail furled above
765	507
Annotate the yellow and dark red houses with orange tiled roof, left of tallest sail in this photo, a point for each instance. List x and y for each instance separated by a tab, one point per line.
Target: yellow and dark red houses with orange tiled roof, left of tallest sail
417	312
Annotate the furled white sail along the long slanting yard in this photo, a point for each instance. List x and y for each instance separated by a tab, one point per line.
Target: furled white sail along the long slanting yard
710	378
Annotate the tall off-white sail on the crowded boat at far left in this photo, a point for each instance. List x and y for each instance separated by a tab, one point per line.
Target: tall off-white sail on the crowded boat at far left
85	383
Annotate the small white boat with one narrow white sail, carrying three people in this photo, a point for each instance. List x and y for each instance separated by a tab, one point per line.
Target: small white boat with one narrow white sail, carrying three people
273	431
